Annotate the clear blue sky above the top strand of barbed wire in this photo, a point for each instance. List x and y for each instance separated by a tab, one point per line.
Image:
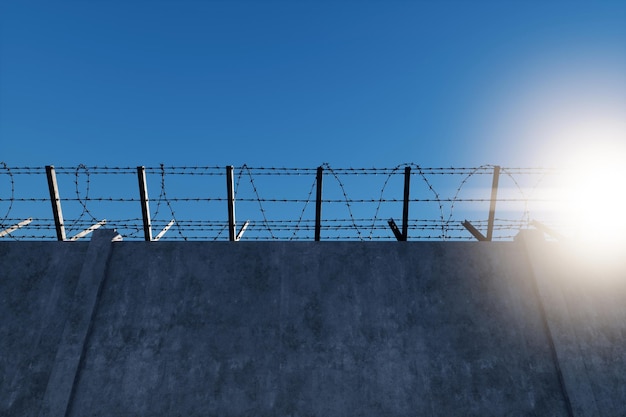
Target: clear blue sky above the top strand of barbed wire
282	83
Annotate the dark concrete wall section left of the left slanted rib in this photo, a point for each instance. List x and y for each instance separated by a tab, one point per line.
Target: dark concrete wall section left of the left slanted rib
37	281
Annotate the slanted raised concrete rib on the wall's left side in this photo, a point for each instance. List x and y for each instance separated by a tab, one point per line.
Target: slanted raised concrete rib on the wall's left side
65	369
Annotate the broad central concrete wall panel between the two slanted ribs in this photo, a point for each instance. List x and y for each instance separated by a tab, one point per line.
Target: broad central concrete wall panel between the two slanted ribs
330	329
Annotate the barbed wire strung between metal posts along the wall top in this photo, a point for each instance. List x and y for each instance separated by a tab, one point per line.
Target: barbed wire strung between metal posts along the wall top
84	208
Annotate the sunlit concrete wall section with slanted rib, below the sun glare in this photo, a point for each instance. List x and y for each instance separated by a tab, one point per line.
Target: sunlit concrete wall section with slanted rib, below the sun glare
585	307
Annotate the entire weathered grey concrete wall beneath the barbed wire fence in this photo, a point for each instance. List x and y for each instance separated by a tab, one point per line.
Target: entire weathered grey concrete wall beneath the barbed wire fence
302	329
